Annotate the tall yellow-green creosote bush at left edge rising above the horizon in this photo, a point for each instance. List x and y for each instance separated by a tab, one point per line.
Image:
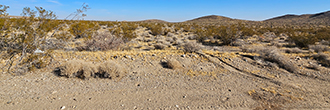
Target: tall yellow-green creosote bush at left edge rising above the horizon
24	38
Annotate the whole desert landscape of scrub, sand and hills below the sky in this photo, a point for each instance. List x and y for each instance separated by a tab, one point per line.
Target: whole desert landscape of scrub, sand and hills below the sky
211	62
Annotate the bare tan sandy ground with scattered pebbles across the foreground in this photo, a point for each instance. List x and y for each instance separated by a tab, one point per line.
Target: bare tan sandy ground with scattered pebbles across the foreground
222	81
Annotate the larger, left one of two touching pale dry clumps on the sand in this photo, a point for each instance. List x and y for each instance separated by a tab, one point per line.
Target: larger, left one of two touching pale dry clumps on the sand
77	68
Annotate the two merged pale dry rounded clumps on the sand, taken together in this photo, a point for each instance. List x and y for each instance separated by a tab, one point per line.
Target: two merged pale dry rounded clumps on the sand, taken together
85	70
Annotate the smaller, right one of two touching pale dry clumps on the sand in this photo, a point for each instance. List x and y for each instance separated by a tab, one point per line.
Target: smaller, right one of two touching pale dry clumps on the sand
111	70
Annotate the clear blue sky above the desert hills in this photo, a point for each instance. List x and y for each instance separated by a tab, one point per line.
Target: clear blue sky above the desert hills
174	10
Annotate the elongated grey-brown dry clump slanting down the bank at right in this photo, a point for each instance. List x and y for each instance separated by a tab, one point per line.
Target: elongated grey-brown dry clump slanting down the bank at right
273	54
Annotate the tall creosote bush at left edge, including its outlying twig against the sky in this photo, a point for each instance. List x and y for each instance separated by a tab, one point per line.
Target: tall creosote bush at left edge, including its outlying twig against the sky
23	39
